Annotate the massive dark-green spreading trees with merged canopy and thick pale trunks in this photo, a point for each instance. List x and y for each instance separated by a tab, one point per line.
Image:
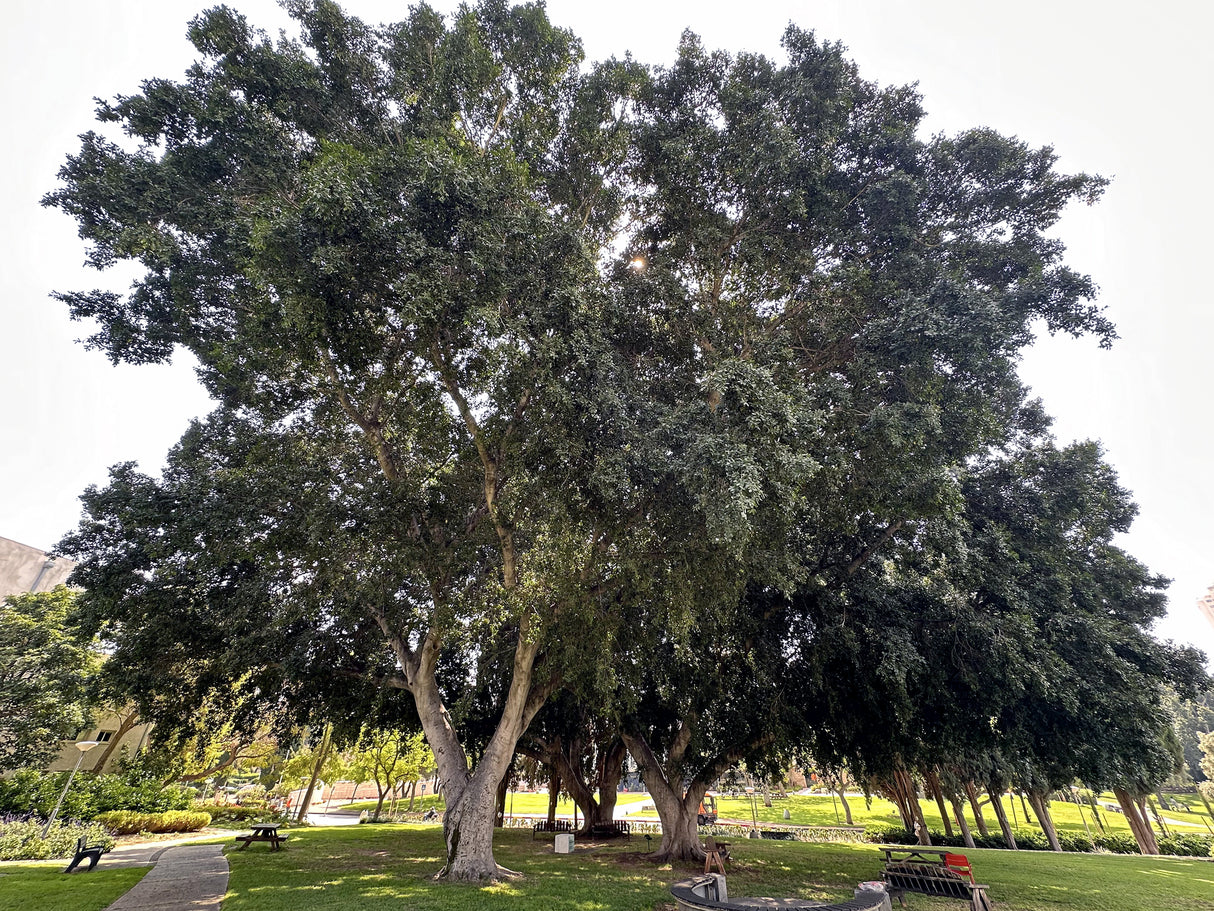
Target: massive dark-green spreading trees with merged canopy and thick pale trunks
605	406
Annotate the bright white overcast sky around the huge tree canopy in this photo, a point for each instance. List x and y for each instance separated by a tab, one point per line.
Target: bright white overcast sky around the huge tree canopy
1117	90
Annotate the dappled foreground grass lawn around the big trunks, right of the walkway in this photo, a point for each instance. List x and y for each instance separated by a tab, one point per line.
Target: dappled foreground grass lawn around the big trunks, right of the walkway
387	868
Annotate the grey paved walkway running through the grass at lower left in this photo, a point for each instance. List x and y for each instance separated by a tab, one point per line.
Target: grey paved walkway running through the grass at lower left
186	878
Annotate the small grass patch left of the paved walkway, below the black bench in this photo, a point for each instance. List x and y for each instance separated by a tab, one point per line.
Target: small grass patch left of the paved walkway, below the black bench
43	887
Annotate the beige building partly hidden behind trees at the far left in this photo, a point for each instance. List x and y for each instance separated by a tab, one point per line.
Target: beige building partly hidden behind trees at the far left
118	734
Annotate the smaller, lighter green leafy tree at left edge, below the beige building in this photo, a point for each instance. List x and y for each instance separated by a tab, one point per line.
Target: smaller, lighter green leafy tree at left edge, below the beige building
44	678
